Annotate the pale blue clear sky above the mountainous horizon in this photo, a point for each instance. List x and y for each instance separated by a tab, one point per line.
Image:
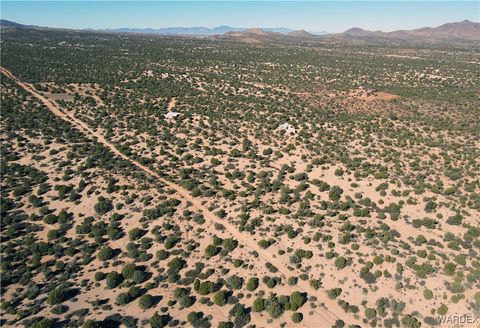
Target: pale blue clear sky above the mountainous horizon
315	16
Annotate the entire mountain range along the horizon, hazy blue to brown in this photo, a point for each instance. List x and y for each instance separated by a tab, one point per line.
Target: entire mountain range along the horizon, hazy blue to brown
464	31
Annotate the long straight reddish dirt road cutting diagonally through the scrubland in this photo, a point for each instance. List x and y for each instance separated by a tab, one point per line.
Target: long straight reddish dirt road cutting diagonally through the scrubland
327	316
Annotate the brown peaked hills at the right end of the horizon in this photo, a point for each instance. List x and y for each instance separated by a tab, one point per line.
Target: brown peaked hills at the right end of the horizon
450	32
